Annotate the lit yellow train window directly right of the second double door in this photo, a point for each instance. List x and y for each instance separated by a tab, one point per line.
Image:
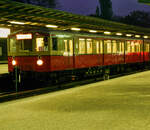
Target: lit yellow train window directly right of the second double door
107	46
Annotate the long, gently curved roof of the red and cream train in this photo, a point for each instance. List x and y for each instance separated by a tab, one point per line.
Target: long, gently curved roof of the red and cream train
68	34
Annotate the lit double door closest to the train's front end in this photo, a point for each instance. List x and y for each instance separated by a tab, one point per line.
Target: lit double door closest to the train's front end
68	53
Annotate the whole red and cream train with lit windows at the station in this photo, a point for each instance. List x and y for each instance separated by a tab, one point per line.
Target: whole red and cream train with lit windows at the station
62	55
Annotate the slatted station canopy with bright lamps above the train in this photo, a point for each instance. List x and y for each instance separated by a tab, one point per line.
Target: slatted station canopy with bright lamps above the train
20	15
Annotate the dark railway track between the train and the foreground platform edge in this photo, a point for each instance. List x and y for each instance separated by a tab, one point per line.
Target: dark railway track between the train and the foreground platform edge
47	87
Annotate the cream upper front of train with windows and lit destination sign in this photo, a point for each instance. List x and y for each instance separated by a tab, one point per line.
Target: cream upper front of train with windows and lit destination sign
28	43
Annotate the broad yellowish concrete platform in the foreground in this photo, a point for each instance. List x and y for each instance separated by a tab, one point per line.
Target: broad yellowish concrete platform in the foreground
117	104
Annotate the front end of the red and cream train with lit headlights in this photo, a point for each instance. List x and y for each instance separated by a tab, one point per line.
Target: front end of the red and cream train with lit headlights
28	52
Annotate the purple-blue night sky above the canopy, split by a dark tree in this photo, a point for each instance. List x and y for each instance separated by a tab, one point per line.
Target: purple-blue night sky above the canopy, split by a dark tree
85	7
